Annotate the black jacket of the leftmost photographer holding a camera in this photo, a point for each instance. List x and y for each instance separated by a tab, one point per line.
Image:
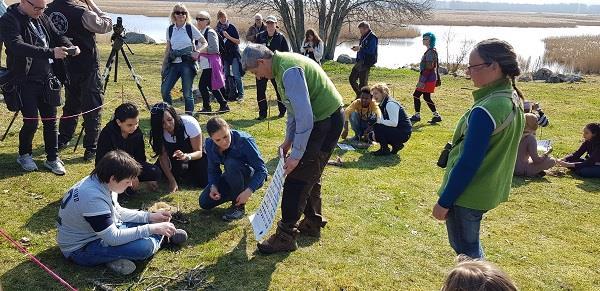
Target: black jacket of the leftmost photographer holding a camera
19	40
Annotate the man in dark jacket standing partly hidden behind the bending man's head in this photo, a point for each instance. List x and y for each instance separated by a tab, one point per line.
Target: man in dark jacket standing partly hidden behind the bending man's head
275	41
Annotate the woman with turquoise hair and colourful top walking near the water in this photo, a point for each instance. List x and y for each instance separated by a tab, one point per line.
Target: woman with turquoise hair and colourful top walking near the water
428	80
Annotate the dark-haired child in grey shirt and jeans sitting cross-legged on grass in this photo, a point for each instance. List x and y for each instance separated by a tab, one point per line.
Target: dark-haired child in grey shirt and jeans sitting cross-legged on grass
94	229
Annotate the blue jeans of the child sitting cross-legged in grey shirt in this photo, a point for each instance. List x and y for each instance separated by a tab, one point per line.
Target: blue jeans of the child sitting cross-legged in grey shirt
95	253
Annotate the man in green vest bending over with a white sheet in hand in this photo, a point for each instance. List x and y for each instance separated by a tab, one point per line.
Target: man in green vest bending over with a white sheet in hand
314	124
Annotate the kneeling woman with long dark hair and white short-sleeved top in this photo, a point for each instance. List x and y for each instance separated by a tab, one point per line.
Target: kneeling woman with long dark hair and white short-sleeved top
177	140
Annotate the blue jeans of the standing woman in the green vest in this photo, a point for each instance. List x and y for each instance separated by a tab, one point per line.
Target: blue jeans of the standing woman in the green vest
463	231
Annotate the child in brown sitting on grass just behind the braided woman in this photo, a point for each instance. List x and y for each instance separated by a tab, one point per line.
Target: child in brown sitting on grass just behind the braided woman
529	163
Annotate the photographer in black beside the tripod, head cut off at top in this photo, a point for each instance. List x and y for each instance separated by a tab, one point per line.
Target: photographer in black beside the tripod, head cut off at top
83	92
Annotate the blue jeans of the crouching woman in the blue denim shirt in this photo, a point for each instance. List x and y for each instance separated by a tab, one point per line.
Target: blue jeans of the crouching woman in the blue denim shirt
233	181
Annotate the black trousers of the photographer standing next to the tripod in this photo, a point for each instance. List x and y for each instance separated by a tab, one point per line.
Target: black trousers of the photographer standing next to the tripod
83	93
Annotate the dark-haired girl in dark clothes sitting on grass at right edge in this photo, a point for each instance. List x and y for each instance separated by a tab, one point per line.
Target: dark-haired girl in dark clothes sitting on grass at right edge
589	167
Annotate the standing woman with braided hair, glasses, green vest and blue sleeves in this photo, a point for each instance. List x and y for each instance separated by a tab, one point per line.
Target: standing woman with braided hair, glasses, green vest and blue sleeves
482	159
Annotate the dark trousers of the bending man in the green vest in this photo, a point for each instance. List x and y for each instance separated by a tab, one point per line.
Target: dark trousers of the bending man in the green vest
302	187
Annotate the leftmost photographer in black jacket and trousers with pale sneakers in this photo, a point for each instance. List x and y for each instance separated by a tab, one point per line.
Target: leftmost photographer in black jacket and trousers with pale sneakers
35	51
